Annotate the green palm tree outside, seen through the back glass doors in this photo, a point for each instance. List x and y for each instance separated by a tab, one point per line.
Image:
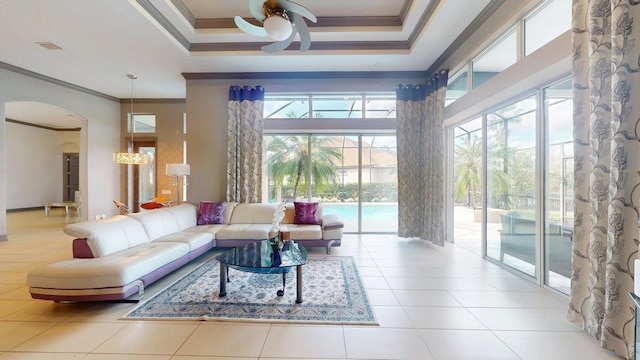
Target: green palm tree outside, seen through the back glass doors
288	161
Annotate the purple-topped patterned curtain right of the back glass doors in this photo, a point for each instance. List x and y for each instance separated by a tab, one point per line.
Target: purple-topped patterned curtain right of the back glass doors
420	143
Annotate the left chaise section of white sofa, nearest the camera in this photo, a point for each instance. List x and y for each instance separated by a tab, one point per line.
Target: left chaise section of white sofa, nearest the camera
118	257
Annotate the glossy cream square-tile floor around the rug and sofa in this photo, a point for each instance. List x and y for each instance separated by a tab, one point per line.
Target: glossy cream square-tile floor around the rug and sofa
431	303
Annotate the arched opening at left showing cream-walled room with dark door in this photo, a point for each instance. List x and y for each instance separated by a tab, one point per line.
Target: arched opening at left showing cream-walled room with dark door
36	137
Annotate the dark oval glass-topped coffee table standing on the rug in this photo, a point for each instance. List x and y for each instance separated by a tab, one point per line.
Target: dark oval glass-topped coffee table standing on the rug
262	257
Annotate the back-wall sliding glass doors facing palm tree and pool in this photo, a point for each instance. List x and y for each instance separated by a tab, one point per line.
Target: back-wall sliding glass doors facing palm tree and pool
354	176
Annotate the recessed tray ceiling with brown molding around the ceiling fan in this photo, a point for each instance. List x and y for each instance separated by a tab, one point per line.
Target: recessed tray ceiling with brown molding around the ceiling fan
383	25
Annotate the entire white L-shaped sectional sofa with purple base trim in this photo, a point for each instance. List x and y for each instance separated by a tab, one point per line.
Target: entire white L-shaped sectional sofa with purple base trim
117	257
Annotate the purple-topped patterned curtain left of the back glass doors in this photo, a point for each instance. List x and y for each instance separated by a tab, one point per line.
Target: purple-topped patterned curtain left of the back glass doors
244	150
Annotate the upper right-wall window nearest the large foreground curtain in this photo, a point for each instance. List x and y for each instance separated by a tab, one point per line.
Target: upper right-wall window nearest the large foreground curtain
546	23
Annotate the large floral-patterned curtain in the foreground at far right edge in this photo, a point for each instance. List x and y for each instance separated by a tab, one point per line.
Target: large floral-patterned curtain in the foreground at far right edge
606	82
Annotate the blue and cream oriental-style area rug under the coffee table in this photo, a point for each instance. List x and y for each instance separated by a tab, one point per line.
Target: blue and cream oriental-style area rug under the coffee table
332	294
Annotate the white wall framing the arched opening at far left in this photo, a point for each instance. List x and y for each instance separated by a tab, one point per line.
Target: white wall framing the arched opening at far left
100	137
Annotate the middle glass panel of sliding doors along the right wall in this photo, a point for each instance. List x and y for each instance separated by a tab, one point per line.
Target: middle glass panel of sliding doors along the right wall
511	185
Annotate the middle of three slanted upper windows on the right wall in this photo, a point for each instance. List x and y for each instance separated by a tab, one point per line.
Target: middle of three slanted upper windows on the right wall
498	57
